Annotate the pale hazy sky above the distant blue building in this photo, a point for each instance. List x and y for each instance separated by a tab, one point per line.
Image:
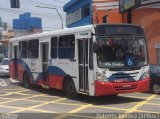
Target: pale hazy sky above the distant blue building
50	18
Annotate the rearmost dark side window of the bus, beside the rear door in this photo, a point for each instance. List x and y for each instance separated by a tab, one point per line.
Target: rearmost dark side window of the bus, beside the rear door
23	45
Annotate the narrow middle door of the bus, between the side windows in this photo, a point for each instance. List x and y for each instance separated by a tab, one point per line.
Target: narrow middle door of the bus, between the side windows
45	52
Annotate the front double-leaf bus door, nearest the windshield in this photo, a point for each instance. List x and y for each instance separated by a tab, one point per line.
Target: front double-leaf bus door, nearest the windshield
83	65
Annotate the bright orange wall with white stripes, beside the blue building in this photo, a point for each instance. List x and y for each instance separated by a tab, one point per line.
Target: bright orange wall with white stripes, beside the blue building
107	8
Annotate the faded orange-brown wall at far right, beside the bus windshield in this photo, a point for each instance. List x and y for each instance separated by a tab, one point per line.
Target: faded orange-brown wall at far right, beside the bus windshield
149	18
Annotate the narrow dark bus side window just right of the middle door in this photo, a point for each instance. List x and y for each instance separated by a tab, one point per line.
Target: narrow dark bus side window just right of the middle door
54	41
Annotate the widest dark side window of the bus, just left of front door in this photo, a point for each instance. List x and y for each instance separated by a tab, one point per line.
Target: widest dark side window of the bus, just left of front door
66	47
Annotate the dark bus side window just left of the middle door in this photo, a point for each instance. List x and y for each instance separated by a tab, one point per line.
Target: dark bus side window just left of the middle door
33	48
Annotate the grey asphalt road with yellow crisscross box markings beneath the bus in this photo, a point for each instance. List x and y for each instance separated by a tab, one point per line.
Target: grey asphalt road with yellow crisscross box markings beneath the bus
39	103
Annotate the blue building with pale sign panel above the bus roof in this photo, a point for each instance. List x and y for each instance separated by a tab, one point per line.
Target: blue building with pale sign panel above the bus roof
79	13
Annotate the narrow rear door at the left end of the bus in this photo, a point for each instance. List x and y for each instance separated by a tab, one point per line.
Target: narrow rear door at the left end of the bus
16	61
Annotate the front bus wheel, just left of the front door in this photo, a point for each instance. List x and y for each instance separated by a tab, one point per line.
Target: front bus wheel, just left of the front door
69	88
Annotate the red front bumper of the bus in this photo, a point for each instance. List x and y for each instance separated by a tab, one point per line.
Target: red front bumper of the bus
107	88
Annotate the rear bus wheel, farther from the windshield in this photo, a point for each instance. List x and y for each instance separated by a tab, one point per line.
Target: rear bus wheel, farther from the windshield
26	81
